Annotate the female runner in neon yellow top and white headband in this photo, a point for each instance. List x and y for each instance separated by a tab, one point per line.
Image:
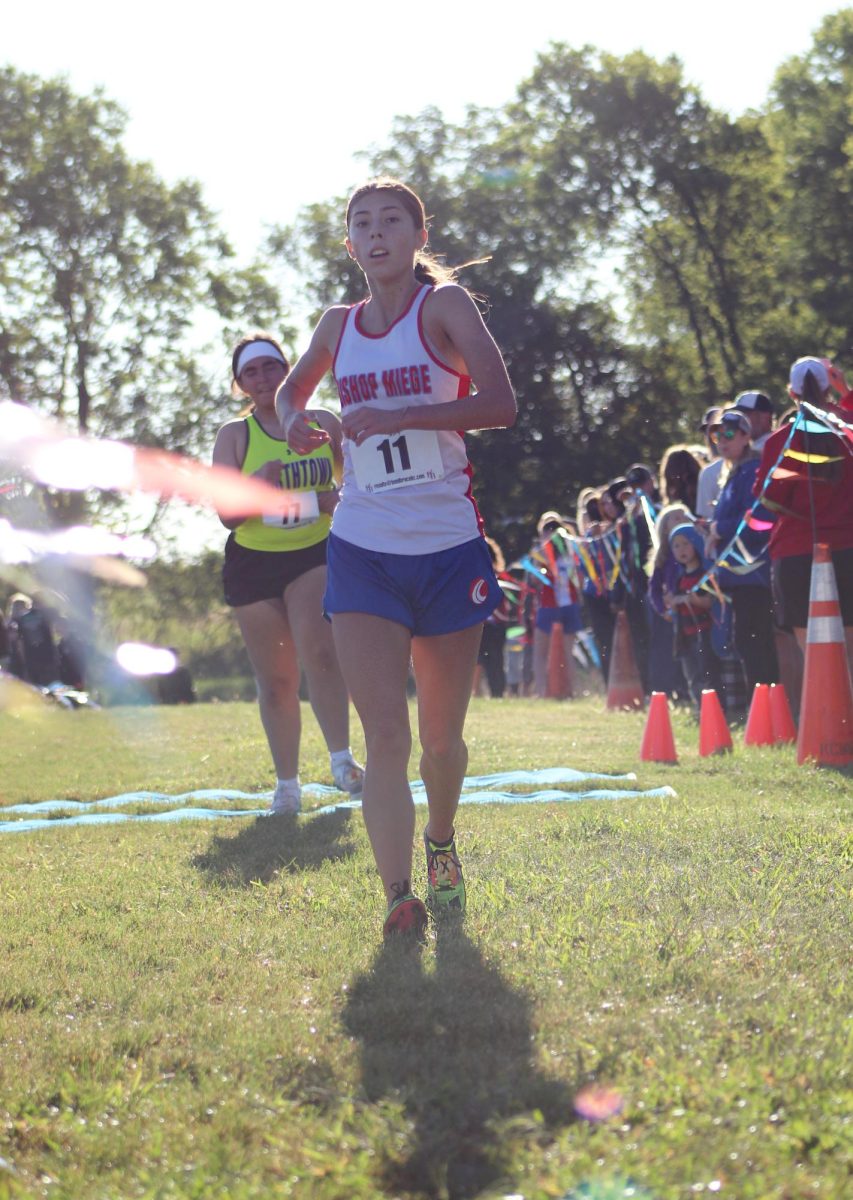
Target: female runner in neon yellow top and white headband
274	577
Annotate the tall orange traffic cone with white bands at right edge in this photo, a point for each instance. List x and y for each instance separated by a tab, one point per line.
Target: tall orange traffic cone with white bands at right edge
827	706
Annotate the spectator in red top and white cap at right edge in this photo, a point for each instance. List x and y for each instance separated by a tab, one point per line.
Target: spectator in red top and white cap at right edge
813	501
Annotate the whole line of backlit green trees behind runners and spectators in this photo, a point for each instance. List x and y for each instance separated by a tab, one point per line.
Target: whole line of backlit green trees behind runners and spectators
648	255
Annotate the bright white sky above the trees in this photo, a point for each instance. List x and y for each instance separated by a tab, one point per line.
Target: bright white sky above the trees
268	105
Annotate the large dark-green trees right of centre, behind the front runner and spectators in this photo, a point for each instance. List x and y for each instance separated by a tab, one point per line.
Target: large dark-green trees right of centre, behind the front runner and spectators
728	239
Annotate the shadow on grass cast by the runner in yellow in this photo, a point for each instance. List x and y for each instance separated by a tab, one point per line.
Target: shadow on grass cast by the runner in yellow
273	844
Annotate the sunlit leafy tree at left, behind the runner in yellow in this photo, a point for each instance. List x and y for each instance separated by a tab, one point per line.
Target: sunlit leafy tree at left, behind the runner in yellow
109	274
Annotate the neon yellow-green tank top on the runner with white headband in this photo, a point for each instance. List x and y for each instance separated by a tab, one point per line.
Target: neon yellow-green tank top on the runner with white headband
302	473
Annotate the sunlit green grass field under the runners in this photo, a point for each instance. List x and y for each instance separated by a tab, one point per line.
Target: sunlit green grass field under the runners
207	1010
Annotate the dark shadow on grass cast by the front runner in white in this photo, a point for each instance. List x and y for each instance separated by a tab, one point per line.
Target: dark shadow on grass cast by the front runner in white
455	1047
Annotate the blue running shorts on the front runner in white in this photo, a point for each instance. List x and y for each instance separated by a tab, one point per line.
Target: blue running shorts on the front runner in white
430	595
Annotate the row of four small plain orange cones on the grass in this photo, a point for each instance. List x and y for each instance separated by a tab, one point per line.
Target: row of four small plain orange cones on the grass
770	724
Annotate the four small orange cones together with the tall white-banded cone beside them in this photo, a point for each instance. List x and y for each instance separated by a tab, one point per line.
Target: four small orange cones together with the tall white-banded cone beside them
826	733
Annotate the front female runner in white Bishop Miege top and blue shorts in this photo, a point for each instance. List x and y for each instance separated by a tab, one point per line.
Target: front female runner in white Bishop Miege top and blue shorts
410	573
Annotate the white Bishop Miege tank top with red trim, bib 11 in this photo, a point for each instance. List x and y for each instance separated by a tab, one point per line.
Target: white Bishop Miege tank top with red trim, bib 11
409	494
